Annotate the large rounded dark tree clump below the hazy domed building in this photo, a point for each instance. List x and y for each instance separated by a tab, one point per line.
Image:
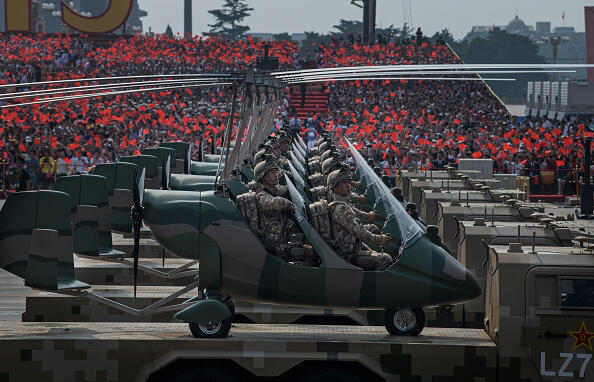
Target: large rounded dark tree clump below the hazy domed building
503	48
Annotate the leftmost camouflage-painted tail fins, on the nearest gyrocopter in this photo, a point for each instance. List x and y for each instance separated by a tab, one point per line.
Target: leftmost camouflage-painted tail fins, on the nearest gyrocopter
36	240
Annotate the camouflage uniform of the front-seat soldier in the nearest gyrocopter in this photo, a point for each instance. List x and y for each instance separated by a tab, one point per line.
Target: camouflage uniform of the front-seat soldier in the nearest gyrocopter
349	235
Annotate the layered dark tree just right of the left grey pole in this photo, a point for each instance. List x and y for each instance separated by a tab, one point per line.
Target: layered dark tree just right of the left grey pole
228	19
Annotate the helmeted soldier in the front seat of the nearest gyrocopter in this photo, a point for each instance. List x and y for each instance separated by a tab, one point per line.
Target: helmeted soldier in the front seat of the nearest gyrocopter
349	234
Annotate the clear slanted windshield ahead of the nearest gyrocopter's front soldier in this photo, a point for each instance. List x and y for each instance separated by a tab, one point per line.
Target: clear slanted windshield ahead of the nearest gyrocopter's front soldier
409	229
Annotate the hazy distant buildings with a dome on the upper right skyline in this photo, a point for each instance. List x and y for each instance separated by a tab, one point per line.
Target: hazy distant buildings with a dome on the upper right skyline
570	45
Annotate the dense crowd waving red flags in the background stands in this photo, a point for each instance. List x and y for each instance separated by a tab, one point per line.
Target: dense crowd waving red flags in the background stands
397	123
